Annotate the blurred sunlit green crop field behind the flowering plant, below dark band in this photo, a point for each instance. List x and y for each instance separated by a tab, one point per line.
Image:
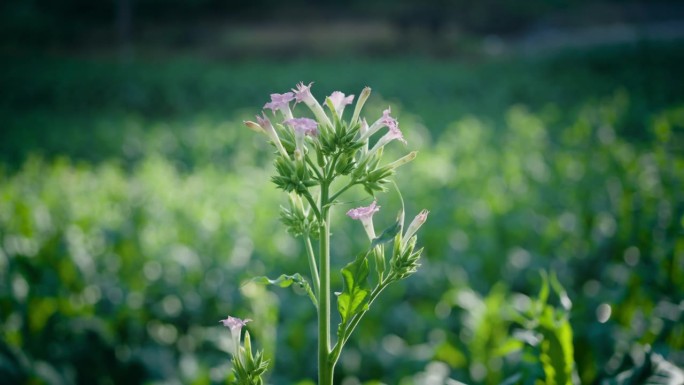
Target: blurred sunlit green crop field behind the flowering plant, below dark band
151	207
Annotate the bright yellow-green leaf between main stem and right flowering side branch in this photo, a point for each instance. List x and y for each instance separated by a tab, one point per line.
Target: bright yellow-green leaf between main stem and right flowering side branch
354	298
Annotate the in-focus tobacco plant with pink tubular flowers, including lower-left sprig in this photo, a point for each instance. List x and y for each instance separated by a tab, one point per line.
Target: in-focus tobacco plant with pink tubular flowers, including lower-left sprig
316	162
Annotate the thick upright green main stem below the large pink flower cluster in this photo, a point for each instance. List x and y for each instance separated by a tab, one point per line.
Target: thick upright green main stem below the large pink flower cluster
325	368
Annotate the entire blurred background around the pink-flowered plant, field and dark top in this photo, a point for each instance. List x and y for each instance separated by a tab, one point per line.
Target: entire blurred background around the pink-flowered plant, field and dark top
135	206
